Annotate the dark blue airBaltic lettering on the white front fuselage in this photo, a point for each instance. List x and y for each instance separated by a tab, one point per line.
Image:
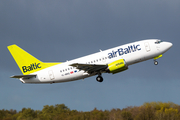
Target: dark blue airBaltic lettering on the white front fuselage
122	51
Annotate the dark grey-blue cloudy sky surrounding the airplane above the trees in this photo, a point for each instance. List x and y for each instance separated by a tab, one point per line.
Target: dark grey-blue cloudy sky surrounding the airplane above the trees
56	31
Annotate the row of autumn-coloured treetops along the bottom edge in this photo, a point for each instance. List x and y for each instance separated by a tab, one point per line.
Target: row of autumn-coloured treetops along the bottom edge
148	111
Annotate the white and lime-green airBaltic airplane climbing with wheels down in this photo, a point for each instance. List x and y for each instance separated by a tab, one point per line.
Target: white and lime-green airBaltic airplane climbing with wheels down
113	61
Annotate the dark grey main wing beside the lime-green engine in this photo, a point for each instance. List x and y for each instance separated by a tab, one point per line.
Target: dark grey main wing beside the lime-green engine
90	68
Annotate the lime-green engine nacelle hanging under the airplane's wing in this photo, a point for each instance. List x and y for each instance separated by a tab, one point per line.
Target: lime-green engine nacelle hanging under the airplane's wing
117	66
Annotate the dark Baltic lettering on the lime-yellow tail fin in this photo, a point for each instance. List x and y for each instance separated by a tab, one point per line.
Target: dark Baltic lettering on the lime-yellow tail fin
31	67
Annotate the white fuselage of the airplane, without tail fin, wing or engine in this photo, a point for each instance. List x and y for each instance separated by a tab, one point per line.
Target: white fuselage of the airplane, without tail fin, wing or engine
132	53
